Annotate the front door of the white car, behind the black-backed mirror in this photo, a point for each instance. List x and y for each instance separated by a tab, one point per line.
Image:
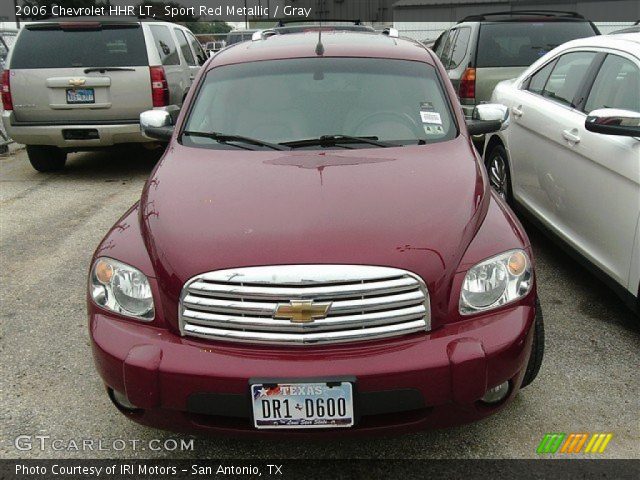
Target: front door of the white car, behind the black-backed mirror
593	180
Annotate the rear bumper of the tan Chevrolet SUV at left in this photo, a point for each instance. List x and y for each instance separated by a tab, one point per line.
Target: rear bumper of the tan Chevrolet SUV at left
54	134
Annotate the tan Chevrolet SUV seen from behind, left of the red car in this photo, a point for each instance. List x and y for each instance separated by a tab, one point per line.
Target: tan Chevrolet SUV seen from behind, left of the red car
73	84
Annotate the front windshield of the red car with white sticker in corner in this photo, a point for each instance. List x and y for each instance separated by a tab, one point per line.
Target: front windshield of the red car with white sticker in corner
281	101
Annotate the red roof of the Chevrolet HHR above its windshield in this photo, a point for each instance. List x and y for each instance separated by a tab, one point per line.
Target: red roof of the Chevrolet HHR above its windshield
336	44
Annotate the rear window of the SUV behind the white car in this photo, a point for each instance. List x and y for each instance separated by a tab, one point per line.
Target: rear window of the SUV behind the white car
519	44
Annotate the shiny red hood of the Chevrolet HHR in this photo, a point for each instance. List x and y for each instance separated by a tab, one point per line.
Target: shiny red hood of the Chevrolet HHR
415	207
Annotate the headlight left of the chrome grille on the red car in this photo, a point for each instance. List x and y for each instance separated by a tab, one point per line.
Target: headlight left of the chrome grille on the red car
121	288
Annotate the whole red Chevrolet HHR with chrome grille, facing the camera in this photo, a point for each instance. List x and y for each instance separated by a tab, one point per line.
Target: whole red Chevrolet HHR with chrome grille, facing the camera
318	251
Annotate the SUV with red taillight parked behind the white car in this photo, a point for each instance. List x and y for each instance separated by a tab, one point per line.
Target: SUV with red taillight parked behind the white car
482	50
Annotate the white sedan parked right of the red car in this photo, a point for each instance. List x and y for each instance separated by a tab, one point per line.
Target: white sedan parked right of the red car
570	157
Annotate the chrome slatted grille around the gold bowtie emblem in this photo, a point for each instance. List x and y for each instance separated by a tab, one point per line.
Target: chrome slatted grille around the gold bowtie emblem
366	303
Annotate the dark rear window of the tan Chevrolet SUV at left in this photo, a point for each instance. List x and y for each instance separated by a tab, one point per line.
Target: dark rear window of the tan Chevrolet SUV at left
104	46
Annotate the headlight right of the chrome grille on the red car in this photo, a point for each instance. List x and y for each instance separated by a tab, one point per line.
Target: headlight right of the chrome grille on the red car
495	282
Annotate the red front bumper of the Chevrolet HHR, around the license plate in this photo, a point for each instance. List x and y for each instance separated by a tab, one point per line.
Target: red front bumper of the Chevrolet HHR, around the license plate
404	384
